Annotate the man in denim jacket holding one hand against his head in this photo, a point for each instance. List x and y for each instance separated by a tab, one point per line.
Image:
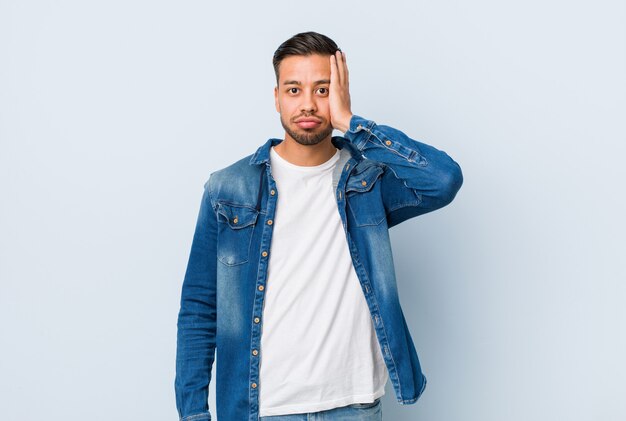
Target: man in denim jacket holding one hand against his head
290	275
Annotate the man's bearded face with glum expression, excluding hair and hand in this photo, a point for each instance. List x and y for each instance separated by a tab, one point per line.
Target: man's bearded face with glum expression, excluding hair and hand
302	98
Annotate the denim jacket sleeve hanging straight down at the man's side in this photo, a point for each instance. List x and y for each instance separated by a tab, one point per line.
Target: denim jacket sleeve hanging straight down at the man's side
197	318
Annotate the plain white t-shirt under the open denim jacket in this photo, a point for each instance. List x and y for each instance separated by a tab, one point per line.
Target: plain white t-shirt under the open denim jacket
318	345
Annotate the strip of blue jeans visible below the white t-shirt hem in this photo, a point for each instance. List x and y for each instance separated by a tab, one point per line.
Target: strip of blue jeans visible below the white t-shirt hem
355	412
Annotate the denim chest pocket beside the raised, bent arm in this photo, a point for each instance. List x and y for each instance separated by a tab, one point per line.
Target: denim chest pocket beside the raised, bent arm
364	196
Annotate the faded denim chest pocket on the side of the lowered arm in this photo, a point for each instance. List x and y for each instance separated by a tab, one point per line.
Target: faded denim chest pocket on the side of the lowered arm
235	226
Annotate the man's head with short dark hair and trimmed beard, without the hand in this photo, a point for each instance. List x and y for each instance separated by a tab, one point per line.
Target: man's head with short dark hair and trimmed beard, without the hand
302	67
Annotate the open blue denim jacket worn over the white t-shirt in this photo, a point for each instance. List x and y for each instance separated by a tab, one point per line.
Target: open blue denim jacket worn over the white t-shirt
382	178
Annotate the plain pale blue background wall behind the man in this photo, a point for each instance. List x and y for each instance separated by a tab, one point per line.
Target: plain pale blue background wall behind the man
113	114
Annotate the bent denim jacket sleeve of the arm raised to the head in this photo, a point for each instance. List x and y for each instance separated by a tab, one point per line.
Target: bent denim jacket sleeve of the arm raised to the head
418	178
